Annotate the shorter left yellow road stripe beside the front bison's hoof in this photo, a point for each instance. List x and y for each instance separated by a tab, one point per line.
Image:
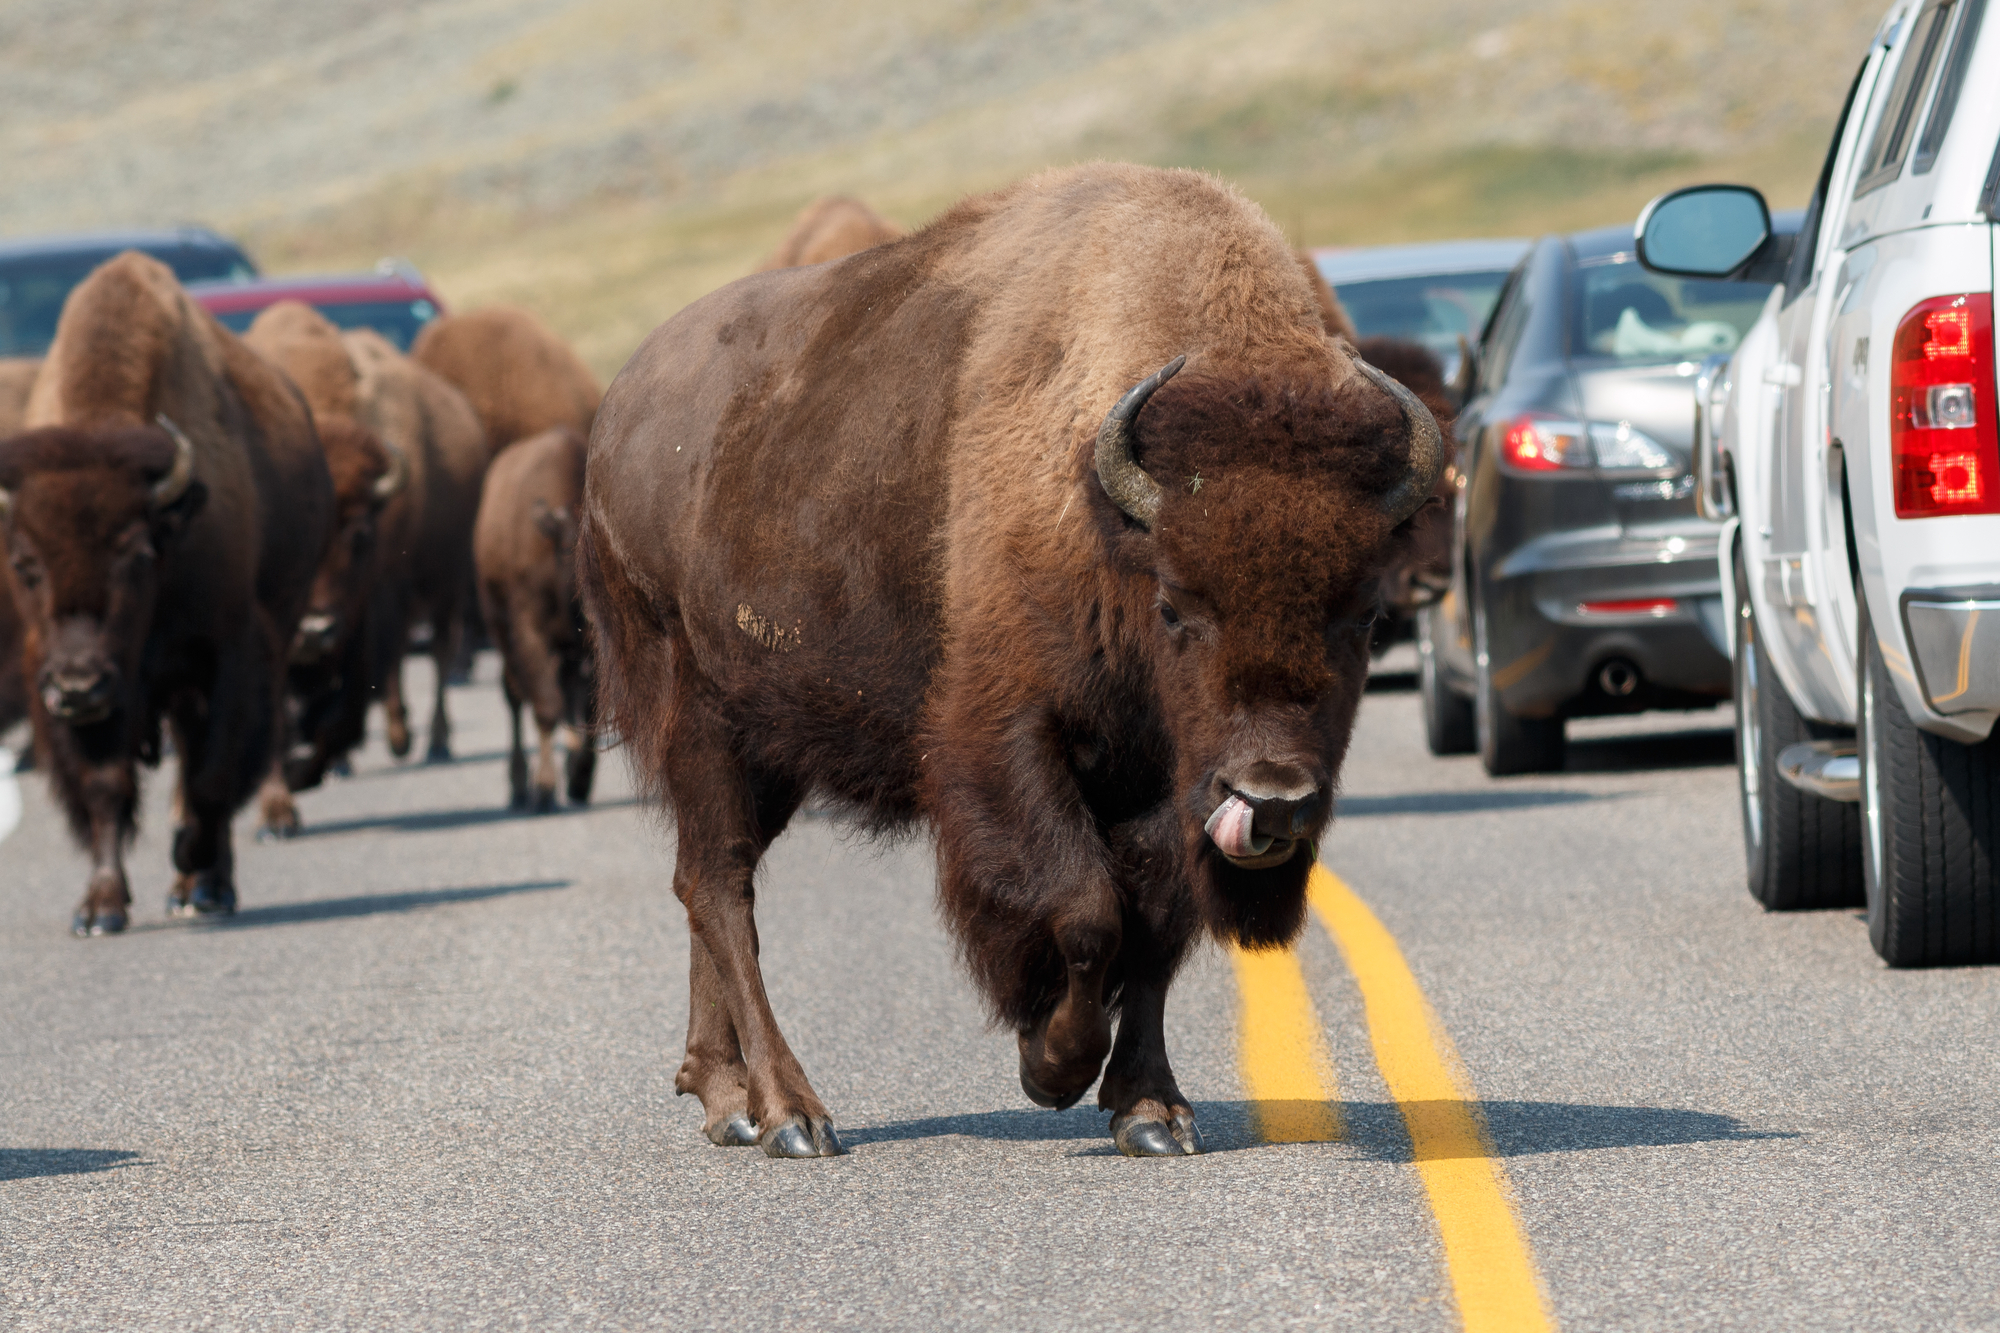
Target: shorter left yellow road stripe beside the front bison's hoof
1283	1052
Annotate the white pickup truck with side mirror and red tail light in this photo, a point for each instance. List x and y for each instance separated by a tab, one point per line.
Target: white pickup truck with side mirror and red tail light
1851	447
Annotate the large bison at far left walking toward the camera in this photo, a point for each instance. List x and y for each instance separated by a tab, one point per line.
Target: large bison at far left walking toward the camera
165	515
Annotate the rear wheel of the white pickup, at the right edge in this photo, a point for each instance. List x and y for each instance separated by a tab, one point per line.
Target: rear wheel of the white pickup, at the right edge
1931	822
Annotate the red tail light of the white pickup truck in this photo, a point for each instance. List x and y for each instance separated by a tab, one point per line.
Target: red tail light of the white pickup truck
1945	427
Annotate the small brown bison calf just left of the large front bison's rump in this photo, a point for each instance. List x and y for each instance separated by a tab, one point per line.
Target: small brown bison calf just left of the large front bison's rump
525	551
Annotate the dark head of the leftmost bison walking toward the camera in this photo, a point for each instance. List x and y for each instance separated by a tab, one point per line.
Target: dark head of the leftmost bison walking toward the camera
87	519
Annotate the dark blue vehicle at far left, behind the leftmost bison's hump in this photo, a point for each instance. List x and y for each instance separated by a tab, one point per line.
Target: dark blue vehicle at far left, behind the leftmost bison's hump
37	273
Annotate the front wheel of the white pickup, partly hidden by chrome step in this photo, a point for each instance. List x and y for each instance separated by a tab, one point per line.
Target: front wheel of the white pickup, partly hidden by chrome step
1805	852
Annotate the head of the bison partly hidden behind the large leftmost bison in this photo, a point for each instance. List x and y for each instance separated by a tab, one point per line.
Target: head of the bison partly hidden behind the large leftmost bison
367	475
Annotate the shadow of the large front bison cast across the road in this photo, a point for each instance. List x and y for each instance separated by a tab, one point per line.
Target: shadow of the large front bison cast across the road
1373	1130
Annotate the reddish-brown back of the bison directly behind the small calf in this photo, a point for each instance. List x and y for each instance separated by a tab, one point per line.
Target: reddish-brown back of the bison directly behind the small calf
517	373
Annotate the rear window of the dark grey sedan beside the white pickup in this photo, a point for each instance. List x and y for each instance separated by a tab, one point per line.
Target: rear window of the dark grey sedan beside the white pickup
1629	315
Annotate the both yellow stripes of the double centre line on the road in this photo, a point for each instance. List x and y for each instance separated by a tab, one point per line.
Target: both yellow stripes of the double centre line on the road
1291	1078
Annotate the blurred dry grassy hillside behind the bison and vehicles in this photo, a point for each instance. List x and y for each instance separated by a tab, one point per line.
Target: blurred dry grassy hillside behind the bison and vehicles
607	161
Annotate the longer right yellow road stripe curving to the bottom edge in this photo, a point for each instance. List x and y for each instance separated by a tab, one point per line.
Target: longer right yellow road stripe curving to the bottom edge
1485	1248
